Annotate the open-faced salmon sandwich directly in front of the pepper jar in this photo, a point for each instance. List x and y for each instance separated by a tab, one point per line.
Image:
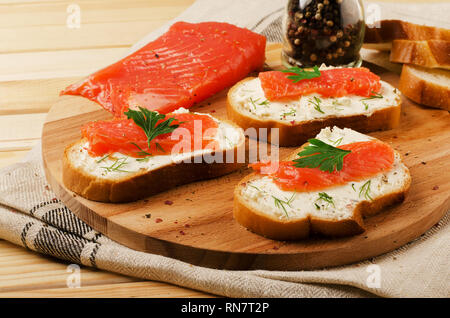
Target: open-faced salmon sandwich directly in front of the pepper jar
301	102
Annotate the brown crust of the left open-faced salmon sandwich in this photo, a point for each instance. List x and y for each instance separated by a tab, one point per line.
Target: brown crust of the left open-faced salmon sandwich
139	185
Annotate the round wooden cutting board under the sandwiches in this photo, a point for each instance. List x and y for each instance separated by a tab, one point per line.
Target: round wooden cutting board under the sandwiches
197	222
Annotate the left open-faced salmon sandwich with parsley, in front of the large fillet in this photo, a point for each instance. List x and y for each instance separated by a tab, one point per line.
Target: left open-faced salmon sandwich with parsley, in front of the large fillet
122	160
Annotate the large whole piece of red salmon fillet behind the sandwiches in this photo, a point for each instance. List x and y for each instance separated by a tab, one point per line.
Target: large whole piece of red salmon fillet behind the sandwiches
187	64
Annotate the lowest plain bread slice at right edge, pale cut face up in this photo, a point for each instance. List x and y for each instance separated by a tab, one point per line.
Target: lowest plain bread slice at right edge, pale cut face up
430	87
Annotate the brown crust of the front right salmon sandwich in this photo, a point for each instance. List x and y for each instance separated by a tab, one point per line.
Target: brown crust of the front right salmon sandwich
277	229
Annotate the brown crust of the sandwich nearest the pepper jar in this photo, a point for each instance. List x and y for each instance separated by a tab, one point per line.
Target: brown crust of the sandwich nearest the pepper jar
298	133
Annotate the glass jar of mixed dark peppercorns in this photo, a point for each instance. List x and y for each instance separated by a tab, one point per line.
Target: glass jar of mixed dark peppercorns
323	31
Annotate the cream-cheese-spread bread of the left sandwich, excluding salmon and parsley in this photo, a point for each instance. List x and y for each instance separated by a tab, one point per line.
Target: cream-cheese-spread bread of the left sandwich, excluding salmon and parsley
136	179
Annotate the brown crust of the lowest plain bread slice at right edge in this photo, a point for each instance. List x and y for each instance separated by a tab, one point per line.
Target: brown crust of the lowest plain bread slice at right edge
422	91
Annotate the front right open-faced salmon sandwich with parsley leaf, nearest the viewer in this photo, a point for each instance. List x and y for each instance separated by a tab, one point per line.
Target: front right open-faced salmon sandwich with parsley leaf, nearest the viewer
324	187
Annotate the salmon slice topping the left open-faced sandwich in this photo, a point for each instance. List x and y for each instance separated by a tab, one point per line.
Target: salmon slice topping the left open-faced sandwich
124	136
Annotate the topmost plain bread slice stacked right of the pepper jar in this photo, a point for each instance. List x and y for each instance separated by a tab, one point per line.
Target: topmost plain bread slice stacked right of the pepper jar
381	35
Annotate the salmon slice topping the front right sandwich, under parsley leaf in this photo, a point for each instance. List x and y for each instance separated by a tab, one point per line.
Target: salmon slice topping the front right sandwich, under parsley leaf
366	159
